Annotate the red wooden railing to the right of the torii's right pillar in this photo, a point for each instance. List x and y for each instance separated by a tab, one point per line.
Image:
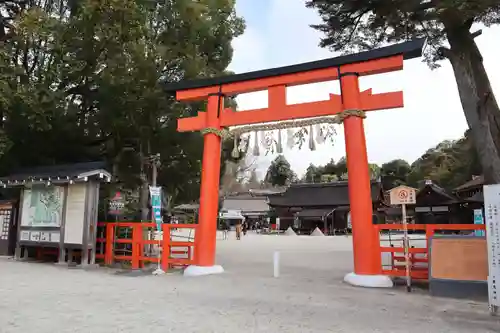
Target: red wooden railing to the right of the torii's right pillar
419	256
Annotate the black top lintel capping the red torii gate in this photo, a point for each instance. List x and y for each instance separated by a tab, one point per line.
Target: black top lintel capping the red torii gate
409	50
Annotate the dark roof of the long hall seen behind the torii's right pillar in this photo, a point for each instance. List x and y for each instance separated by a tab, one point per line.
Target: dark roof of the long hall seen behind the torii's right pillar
321	194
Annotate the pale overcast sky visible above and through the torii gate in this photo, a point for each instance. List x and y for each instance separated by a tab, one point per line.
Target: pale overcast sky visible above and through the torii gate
278	34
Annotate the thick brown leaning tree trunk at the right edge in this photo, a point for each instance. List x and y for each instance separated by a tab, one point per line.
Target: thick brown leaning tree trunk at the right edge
478	100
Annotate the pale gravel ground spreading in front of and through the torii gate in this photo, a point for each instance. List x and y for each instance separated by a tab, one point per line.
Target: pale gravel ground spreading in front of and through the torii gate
309	296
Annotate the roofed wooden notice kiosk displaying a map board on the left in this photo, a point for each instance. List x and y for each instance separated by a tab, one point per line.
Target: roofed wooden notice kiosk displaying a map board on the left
58	209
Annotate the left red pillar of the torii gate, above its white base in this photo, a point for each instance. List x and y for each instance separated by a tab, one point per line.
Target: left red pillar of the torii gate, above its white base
206	233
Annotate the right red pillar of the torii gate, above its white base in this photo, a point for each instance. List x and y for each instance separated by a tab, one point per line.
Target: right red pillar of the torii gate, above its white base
367	260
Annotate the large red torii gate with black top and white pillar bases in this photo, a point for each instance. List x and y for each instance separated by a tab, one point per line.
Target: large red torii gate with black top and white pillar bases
351	104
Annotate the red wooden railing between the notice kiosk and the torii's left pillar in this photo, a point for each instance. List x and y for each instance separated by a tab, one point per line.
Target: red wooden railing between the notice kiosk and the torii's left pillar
134	247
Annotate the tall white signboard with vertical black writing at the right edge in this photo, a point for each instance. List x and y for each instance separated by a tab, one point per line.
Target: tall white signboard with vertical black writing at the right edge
492	219
